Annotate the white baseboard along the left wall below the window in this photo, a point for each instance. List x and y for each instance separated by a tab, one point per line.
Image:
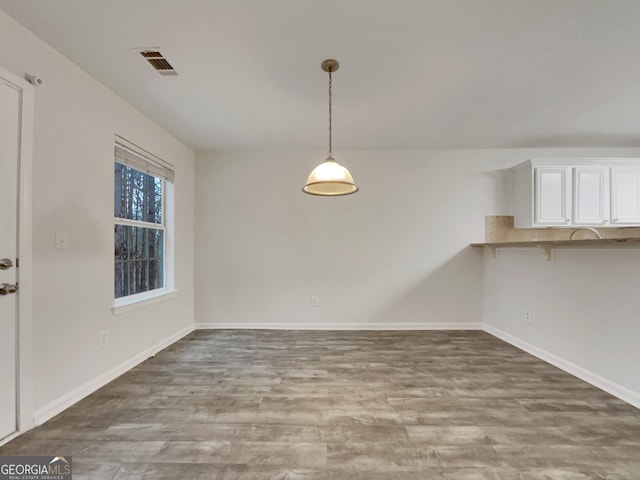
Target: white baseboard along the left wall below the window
57	406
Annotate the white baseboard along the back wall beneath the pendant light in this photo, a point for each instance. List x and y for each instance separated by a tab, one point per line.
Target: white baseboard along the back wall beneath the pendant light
340	326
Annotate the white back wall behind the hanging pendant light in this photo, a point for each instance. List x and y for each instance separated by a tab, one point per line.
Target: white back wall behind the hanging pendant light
394	255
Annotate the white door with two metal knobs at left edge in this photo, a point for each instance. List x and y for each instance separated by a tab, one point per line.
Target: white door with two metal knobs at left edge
10	105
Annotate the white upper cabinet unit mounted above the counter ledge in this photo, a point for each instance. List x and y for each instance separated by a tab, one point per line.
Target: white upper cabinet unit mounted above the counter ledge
598	192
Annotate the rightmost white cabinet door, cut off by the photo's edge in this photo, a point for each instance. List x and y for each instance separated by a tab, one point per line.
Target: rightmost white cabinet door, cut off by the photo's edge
625	195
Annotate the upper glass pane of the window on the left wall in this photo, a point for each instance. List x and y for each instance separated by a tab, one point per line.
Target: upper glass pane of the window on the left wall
138	196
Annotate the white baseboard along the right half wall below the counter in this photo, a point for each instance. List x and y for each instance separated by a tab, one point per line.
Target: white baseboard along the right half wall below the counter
623	393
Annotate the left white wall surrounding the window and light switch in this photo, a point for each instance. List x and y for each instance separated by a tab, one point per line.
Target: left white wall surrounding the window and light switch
75	121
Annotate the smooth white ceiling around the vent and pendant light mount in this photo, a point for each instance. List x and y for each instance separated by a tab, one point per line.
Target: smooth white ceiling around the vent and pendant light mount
413	74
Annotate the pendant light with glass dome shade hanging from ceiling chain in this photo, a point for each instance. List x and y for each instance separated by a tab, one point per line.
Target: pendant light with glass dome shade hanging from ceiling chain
330	178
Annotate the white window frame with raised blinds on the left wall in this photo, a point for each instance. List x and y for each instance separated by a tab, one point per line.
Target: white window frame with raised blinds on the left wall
131	155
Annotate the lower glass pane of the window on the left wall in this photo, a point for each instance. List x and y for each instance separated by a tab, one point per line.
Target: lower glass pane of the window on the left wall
139	260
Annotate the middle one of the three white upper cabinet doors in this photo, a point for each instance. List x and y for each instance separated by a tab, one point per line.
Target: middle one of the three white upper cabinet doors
590	196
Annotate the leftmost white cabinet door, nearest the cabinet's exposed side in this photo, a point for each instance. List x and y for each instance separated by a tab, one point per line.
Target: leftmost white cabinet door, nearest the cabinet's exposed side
552	198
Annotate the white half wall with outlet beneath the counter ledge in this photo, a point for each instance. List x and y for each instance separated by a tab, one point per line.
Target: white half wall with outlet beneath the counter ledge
585	311
